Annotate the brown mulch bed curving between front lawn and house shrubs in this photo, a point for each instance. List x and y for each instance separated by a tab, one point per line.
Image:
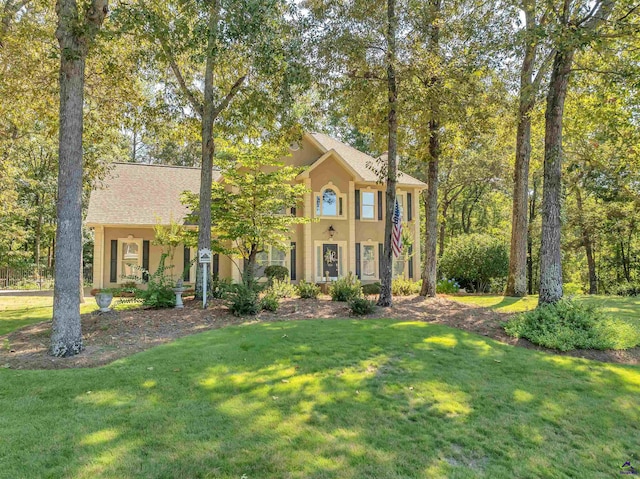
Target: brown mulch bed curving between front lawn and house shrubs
114	335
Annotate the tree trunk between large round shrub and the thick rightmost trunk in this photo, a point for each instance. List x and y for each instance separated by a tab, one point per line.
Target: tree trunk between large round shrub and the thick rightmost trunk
517	278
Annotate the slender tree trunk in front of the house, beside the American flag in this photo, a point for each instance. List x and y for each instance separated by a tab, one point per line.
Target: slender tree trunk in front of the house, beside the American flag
385	298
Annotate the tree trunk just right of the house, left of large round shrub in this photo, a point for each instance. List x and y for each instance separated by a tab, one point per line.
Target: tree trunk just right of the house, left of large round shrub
429	275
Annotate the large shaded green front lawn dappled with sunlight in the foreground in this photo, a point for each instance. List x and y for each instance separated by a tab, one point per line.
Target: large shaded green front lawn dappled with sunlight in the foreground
324	399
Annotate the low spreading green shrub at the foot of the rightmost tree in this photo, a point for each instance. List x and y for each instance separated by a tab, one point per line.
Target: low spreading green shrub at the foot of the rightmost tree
569	324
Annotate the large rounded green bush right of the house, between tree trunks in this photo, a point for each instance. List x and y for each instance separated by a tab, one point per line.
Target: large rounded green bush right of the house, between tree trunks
474	260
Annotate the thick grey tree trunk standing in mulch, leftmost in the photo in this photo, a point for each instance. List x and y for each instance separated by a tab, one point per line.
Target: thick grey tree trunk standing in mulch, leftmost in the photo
74	35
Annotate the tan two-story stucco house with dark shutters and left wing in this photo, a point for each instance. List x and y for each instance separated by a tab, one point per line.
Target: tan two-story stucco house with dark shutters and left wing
345	200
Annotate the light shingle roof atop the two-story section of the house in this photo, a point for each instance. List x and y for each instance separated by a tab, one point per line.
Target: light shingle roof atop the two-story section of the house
365	166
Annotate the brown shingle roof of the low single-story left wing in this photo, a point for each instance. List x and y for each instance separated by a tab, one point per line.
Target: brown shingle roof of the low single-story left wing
140	194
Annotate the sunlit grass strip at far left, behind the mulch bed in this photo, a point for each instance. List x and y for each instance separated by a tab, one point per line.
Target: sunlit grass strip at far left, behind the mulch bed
19	311
